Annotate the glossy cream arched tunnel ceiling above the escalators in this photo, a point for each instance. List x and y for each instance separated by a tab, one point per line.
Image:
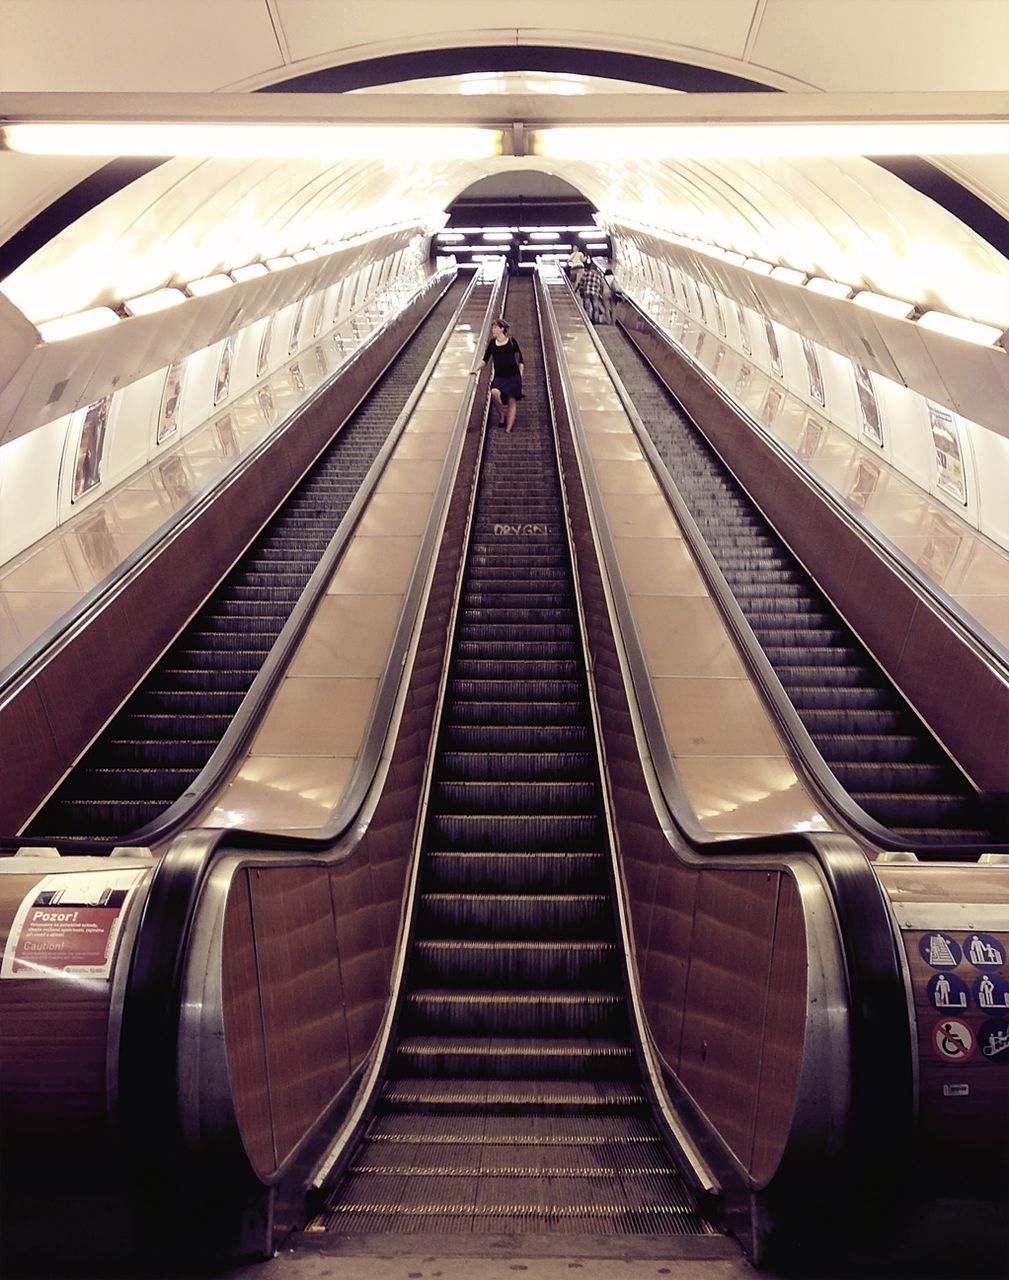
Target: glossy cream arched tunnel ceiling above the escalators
848	218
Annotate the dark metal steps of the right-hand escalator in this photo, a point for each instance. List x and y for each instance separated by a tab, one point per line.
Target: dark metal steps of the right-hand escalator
874	743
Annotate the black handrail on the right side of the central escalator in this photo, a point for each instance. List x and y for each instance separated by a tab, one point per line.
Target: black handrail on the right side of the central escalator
882	1035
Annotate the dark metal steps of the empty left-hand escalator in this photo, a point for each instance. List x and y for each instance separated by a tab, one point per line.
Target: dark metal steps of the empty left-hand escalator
167	732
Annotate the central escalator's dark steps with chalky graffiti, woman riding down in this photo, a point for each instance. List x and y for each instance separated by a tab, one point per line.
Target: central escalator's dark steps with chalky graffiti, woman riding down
514	1096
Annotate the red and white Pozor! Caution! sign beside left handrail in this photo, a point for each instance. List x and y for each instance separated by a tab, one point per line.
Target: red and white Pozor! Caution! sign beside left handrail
69	925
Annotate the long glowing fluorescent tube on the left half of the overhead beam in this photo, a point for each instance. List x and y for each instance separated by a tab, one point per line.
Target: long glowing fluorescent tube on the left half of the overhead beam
253	141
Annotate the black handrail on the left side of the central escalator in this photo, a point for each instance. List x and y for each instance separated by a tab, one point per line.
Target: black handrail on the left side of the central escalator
152	1008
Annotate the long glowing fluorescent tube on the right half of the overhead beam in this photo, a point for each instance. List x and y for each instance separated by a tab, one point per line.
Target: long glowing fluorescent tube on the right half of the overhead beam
747	141
